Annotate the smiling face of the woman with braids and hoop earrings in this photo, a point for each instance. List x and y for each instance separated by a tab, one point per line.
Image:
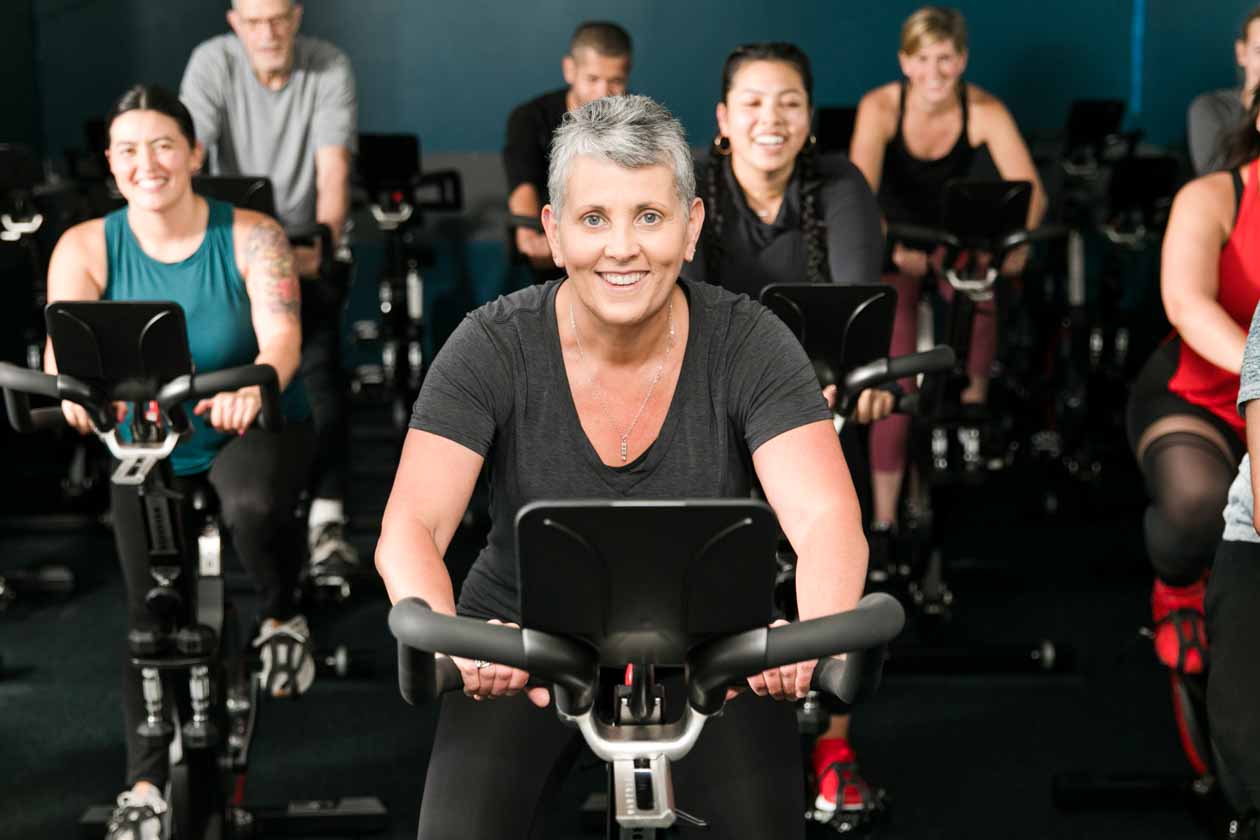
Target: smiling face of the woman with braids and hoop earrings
767	116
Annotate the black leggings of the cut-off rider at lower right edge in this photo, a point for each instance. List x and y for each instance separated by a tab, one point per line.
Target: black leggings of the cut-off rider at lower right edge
1234	677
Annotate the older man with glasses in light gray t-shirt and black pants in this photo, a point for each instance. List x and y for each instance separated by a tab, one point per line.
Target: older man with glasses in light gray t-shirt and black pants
268	101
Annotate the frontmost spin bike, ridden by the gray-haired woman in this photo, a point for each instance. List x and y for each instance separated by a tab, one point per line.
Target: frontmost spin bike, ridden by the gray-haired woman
662	586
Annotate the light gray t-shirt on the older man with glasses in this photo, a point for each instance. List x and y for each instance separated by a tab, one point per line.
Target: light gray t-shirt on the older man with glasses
251	130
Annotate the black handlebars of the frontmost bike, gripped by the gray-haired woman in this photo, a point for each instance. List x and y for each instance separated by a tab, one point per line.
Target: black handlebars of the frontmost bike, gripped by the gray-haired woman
713	667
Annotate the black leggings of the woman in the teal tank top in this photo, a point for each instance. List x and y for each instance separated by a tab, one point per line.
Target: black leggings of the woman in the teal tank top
258	479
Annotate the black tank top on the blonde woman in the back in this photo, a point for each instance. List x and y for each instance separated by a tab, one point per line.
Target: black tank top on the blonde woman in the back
912	188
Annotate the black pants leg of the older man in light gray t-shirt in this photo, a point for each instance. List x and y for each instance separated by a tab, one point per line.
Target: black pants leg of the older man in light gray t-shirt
324	377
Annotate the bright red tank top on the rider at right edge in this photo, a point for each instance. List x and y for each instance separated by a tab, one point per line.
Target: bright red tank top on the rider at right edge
1199	381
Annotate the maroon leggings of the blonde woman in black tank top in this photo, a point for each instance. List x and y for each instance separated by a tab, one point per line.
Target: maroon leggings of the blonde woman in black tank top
889	436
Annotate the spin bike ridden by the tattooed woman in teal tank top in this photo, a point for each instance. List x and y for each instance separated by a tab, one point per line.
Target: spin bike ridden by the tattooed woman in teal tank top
138	353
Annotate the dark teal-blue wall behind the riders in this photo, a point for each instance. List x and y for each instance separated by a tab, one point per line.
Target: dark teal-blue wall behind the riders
452	71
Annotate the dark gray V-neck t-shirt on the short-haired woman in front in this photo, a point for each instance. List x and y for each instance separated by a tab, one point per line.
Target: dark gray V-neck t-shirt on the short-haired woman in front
500	389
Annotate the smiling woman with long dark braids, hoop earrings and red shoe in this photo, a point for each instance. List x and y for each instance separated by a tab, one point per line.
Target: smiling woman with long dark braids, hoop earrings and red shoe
777	212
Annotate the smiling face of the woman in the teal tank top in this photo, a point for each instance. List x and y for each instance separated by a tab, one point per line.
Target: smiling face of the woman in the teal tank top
152	161
